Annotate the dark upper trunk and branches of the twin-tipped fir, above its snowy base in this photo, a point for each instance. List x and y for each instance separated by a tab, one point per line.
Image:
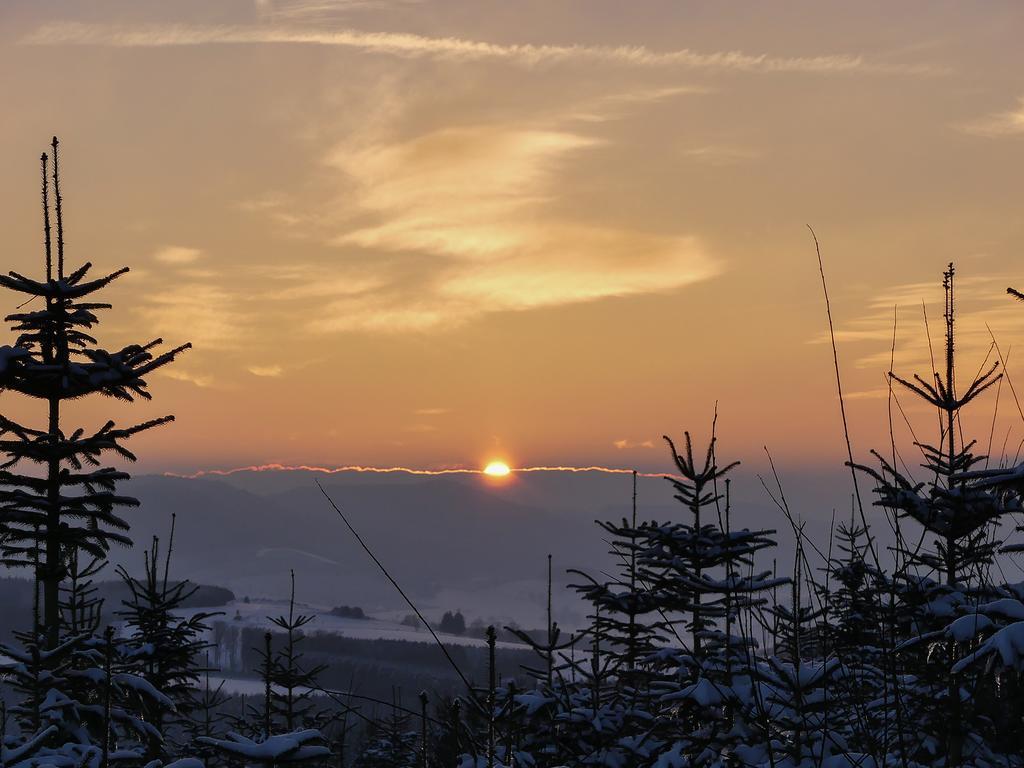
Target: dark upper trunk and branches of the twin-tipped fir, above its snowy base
73	509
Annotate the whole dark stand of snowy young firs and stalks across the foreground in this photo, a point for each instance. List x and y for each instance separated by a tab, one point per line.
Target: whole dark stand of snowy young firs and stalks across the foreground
898	643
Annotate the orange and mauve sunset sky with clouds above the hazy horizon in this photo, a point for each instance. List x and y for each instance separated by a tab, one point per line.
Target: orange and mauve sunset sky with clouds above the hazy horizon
432	234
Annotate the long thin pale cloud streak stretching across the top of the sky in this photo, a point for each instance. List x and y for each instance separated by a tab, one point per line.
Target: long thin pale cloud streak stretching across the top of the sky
448	49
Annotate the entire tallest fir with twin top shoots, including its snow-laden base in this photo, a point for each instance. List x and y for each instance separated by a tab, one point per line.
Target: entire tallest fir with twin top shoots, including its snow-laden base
62	510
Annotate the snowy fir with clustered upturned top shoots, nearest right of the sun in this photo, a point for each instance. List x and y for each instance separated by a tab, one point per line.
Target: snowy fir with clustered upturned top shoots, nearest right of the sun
705	578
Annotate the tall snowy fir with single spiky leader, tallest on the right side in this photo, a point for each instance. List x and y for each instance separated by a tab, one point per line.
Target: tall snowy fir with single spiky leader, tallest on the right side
944	579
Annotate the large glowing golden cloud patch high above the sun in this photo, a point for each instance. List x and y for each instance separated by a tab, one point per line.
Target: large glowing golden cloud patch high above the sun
483	203
